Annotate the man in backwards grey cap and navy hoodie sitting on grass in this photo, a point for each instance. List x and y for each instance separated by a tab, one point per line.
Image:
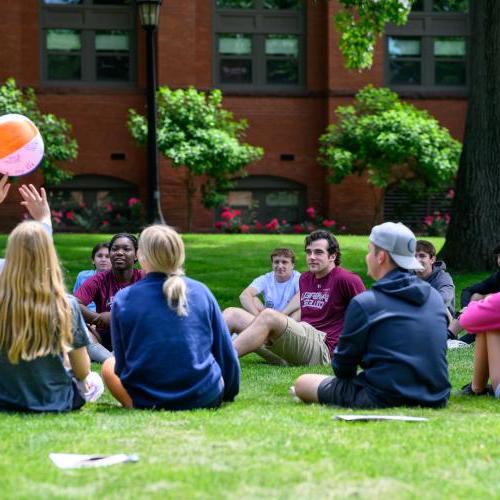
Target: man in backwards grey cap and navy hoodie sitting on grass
396	332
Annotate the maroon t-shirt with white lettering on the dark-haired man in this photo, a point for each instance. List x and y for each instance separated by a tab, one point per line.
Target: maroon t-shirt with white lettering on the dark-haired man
323	301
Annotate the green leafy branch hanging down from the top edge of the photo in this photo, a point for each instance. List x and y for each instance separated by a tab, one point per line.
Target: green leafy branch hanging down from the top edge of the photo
360	22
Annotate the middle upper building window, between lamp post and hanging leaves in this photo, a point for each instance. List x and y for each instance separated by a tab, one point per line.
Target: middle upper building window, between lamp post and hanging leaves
259	44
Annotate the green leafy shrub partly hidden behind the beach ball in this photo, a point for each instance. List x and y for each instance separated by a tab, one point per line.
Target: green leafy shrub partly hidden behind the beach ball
55	131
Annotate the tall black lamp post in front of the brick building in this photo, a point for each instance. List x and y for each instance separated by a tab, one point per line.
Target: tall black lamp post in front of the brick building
149	12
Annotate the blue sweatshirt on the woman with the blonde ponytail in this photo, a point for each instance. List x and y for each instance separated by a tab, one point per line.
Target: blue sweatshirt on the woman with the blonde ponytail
169	361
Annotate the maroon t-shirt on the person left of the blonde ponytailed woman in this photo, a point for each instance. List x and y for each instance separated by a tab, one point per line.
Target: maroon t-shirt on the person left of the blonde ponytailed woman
102	288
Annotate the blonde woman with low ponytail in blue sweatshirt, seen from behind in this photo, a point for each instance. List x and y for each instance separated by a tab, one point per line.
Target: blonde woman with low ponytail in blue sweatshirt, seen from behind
171	345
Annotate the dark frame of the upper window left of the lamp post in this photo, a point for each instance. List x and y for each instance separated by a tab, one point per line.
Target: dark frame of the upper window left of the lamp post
88	19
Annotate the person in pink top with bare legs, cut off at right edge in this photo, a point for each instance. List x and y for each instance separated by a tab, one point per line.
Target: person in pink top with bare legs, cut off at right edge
482	318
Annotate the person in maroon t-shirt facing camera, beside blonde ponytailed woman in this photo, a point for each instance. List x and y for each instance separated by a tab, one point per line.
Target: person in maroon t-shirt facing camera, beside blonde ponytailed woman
102	287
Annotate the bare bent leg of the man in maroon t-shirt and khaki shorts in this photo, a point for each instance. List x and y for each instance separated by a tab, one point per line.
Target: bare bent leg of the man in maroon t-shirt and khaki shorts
269	324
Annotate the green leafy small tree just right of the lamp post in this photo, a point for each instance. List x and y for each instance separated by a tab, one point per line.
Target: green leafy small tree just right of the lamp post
196	132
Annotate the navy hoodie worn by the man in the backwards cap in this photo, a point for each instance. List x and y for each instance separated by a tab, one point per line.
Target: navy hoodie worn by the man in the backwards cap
397	333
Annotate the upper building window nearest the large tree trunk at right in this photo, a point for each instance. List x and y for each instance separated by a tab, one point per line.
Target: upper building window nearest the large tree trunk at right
431	49
